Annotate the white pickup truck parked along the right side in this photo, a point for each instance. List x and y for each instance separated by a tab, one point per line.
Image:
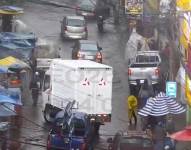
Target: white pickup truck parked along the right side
145	63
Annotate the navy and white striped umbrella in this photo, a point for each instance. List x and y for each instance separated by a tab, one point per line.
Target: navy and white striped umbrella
161	105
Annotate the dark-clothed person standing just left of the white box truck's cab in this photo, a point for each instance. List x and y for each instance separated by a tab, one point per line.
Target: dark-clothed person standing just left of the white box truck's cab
34	91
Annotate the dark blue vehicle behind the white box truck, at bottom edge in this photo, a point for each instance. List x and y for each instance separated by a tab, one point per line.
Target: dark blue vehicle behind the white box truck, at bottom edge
76	132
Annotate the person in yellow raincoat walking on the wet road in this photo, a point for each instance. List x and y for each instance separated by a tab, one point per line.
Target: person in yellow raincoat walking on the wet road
132	108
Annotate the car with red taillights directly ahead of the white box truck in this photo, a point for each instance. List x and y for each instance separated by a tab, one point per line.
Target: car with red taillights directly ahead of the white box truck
86	49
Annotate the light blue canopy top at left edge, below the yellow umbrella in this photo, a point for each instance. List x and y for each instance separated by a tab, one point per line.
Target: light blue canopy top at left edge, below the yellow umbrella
7	99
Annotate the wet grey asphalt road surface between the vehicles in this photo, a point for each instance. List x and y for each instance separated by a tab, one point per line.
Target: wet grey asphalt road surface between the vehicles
45	22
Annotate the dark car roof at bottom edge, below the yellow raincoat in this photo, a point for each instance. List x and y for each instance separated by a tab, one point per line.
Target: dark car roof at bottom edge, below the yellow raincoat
131	140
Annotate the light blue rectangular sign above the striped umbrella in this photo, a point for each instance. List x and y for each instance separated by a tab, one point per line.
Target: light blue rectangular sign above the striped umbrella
171	88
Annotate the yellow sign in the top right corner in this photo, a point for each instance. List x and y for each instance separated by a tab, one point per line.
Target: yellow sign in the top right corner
184	5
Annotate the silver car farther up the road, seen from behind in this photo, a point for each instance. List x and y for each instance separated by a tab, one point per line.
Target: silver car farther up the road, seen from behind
74	27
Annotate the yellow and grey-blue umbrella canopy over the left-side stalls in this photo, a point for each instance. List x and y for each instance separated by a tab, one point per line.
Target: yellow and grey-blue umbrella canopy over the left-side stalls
11	62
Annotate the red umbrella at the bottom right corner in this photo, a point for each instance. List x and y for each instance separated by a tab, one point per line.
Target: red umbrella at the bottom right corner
183	135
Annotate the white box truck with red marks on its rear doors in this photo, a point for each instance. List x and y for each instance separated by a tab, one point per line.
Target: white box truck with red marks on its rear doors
87	82
